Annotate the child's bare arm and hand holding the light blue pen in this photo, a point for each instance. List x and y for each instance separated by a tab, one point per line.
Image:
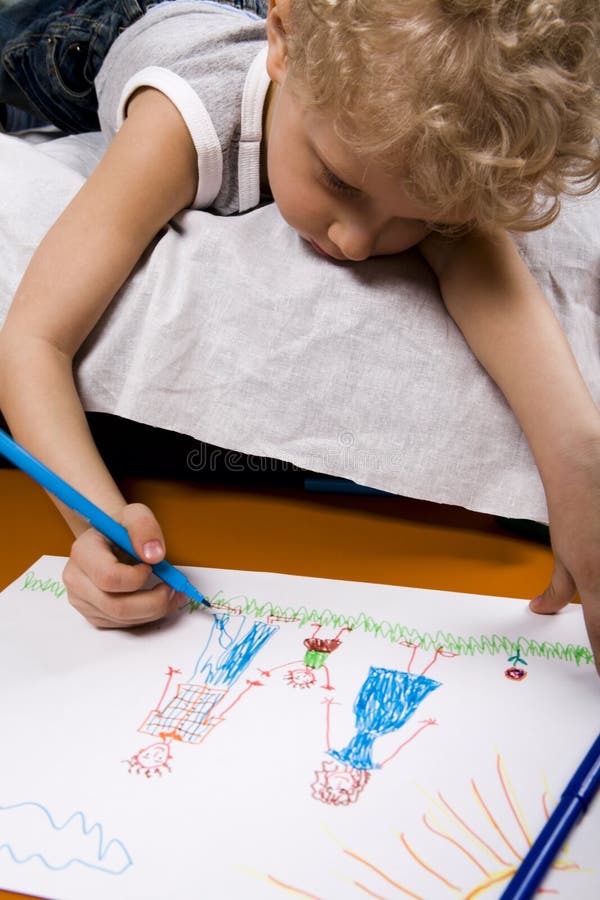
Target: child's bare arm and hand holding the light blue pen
148	174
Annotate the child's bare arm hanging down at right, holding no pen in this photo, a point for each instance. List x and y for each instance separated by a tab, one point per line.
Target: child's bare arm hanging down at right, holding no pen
511	328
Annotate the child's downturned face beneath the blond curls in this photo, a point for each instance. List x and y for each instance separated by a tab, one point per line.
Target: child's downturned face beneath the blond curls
344	208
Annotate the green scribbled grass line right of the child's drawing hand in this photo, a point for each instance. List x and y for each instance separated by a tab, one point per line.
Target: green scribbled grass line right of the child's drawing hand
395	632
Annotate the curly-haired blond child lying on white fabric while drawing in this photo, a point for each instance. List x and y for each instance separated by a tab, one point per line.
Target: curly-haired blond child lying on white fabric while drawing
375	127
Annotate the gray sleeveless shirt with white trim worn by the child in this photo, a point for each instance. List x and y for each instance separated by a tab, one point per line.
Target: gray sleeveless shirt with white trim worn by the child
209	59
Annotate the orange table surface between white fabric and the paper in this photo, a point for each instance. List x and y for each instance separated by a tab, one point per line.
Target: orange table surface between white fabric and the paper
391	540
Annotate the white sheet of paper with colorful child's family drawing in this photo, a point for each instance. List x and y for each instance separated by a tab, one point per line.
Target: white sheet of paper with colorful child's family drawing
321	738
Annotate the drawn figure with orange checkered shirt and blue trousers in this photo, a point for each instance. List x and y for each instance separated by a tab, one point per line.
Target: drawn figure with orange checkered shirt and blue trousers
191	714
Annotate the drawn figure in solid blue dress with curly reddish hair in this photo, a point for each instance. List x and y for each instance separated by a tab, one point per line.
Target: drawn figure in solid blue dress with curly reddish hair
387	699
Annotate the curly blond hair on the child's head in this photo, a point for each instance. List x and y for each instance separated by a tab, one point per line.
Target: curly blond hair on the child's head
489	107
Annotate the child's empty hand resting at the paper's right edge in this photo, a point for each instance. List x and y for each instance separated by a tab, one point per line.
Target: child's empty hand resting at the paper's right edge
574	508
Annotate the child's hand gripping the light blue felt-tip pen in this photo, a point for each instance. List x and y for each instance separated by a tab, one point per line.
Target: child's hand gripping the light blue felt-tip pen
110	593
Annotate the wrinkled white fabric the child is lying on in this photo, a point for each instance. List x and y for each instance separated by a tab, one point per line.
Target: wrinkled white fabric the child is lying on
234	331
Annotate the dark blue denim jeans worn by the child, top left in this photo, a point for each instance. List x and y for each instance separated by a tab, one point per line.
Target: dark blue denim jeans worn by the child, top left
51	52
